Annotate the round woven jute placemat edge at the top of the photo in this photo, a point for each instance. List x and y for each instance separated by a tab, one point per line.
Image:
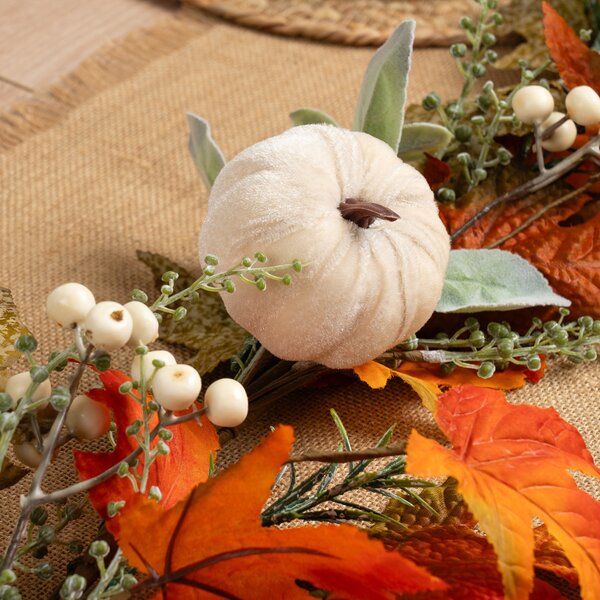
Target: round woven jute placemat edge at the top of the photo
352	22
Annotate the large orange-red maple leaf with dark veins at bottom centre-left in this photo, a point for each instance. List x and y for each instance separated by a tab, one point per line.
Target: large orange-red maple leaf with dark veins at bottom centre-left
213	544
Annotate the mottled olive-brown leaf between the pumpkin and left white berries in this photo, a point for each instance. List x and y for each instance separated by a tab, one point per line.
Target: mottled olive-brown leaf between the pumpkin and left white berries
207	328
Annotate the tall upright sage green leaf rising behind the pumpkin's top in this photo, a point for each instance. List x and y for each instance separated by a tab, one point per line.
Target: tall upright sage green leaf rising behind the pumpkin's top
380	110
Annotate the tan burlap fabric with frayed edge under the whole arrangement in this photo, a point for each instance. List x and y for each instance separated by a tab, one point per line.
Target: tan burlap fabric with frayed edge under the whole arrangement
99	168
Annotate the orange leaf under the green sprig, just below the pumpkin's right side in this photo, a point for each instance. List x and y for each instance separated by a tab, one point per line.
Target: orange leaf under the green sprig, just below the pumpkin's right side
427	381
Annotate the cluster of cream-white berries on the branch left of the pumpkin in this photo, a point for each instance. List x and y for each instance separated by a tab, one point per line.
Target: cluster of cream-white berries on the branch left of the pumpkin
109	326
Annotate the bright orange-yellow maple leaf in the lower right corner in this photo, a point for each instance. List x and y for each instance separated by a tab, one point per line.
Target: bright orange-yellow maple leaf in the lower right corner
511	463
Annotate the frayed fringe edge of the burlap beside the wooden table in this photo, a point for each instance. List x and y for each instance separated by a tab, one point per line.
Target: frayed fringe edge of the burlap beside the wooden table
117	61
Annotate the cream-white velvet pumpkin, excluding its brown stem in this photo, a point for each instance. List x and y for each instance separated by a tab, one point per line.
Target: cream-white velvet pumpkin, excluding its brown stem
364	289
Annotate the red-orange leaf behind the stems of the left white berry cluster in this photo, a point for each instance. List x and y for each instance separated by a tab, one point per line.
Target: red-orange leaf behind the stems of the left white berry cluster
175	474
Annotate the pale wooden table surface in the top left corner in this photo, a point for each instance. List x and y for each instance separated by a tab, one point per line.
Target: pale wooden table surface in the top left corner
43	40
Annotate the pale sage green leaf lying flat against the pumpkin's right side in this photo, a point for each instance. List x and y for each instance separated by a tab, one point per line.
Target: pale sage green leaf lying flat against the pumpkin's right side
481	280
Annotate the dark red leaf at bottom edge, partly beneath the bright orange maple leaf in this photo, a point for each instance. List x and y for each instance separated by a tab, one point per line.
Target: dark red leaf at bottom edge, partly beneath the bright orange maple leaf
465	560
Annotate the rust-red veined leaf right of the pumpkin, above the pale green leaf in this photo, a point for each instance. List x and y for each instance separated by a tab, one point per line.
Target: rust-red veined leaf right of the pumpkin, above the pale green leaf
569	256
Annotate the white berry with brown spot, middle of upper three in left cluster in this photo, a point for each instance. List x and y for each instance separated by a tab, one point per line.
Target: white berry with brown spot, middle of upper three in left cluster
108	325
